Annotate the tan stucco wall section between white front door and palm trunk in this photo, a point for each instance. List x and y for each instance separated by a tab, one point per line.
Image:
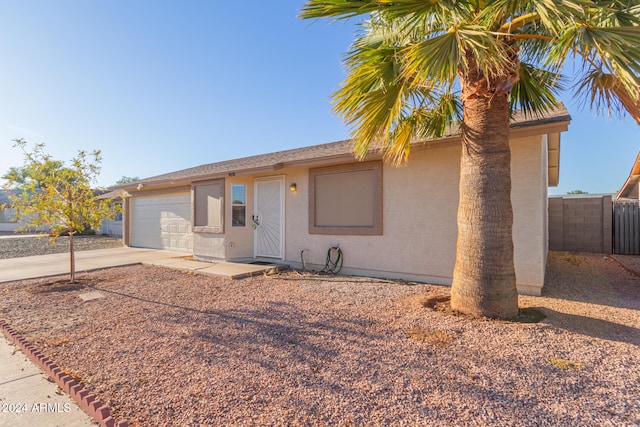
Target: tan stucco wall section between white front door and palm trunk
419	222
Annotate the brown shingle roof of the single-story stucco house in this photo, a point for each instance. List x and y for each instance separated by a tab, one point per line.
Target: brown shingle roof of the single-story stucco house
280	159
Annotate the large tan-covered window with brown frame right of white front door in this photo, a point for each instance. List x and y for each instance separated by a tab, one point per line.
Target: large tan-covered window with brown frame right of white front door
346	199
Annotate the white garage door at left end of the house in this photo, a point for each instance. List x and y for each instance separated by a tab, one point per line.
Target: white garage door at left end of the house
162	222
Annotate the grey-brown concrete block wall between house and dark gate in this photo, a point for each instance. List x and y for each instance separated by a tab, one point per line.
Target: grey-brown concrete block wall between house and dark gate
581	224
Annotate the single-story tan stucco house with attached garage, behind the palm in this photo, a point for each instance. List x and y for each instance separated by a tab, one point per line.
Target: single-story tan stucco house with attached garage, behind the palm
392	222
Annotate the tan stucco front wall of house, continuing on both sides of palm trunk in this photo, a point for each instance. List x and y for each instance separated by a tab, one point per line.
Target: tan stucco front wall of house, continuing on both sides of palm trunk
420	203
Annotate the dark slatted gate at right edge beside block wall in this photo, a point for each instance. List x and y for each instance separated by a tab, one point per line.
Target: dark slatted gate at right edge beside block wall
626	228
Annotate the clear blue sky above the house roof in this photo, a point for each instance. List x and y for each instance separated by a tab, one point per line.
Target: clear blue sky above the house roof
163	85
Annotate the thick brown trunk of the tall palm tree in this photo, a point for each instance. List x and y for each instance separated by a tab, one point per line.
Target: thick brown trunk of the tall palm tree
484	274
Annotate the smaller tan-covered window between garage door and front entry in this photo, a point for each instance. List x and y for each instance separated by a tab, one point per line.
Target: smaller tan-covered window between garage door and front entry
209	207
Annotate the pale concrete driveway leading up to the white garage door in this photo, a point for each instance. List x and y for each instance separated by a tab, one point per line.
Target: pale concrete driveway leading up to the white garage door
55	264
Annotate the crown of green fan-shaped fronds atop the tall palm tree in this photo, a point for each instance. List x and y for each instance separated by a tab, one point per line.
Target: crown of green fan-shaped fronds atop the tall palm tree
404	67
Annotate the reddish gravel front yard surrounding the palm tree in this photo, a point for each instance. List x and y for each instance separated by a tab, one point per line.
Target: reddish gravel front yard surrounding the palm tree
169	348
